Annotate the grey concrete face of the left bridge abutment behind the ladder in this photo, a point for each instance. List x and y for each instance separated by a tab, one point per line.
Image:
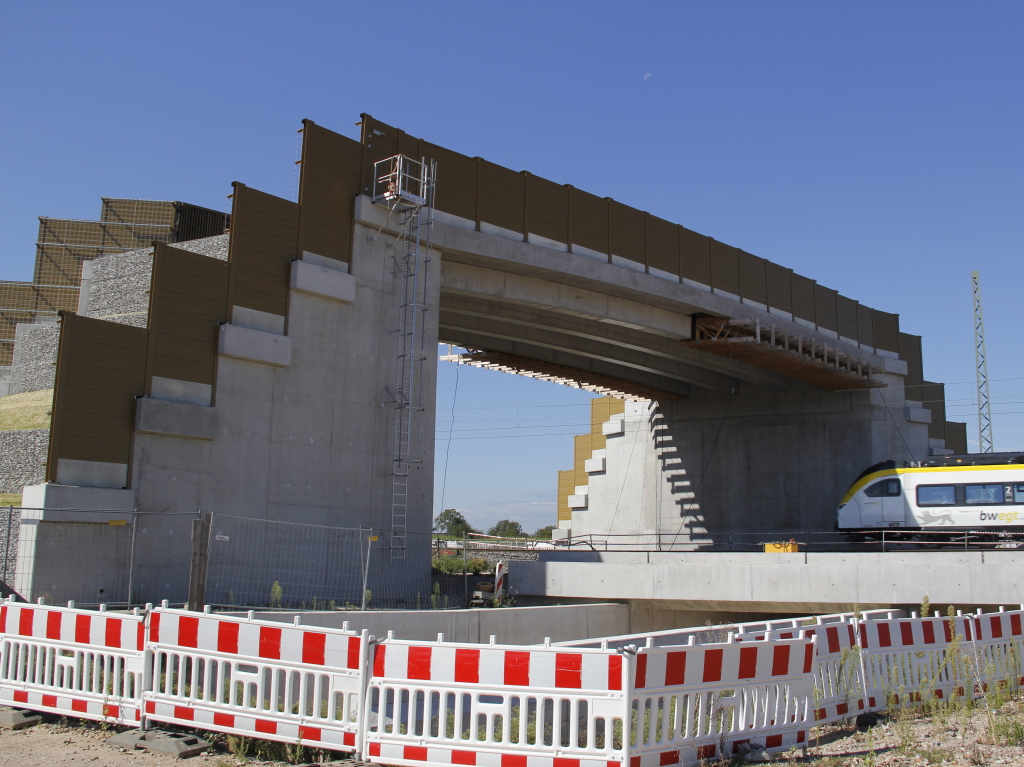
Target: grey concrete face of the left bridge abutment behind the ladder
309	444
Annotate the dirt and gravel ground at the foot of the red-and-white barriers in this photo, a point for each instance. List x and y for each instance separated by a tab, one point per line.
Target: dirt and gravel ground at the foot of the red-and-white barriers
956	738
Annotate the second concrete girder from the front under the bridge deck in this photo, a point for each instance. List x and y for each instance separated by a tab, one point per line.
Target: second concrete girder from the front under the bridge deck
706	367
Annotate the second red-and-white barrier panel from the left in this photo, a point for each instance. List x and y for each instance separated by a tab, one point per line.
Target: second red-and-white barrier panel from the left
257	678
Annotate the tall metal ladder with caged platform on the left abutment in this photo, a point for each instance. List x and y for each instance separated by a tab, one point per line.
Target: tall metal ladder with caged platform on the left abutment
407	187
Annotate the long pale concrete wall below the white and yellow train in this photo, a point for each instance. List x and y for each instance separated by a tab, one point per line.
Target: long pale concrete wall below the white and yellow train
782	583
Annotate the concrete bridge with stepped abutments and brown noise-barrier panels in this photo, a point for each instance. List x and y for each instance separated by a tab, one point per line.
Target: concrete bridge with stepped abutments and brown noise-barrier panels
252	375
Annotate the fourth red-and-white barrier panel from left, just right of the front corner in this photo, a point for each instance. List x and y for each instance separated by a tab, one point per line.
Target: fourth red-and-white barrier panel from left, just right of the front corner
689	701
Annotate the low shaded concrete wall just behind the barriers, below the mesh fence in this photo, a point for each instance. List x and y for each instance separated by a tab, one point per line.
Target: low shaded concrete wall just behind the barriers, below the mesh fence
509	625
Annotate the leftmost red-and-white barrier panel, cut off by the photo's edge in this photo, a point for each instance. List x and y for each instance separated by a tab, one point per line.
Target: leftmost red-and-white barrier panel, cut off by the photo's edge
74	663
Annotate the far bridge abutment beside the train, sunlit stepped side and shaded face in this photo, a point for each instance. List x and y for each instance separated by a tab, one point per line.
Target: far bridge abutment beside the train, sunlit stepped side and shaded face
709	470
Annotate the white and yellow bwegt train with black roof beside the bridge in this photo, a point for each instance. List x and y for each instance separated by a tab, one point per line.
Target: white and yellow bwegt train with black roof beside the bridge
982	493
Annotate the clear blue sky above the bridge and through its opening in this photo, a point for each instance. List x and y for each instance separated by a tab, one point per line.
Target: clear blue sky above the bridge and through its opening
876	147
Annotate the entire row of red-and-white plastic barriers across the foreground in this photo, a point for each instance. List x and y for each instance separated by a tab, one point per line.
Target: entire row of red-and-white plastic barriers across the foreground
414	703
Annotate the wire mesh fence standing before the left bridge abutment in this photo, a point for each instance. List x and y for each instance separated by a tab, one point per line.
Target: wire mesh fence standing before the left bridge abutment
129	559
